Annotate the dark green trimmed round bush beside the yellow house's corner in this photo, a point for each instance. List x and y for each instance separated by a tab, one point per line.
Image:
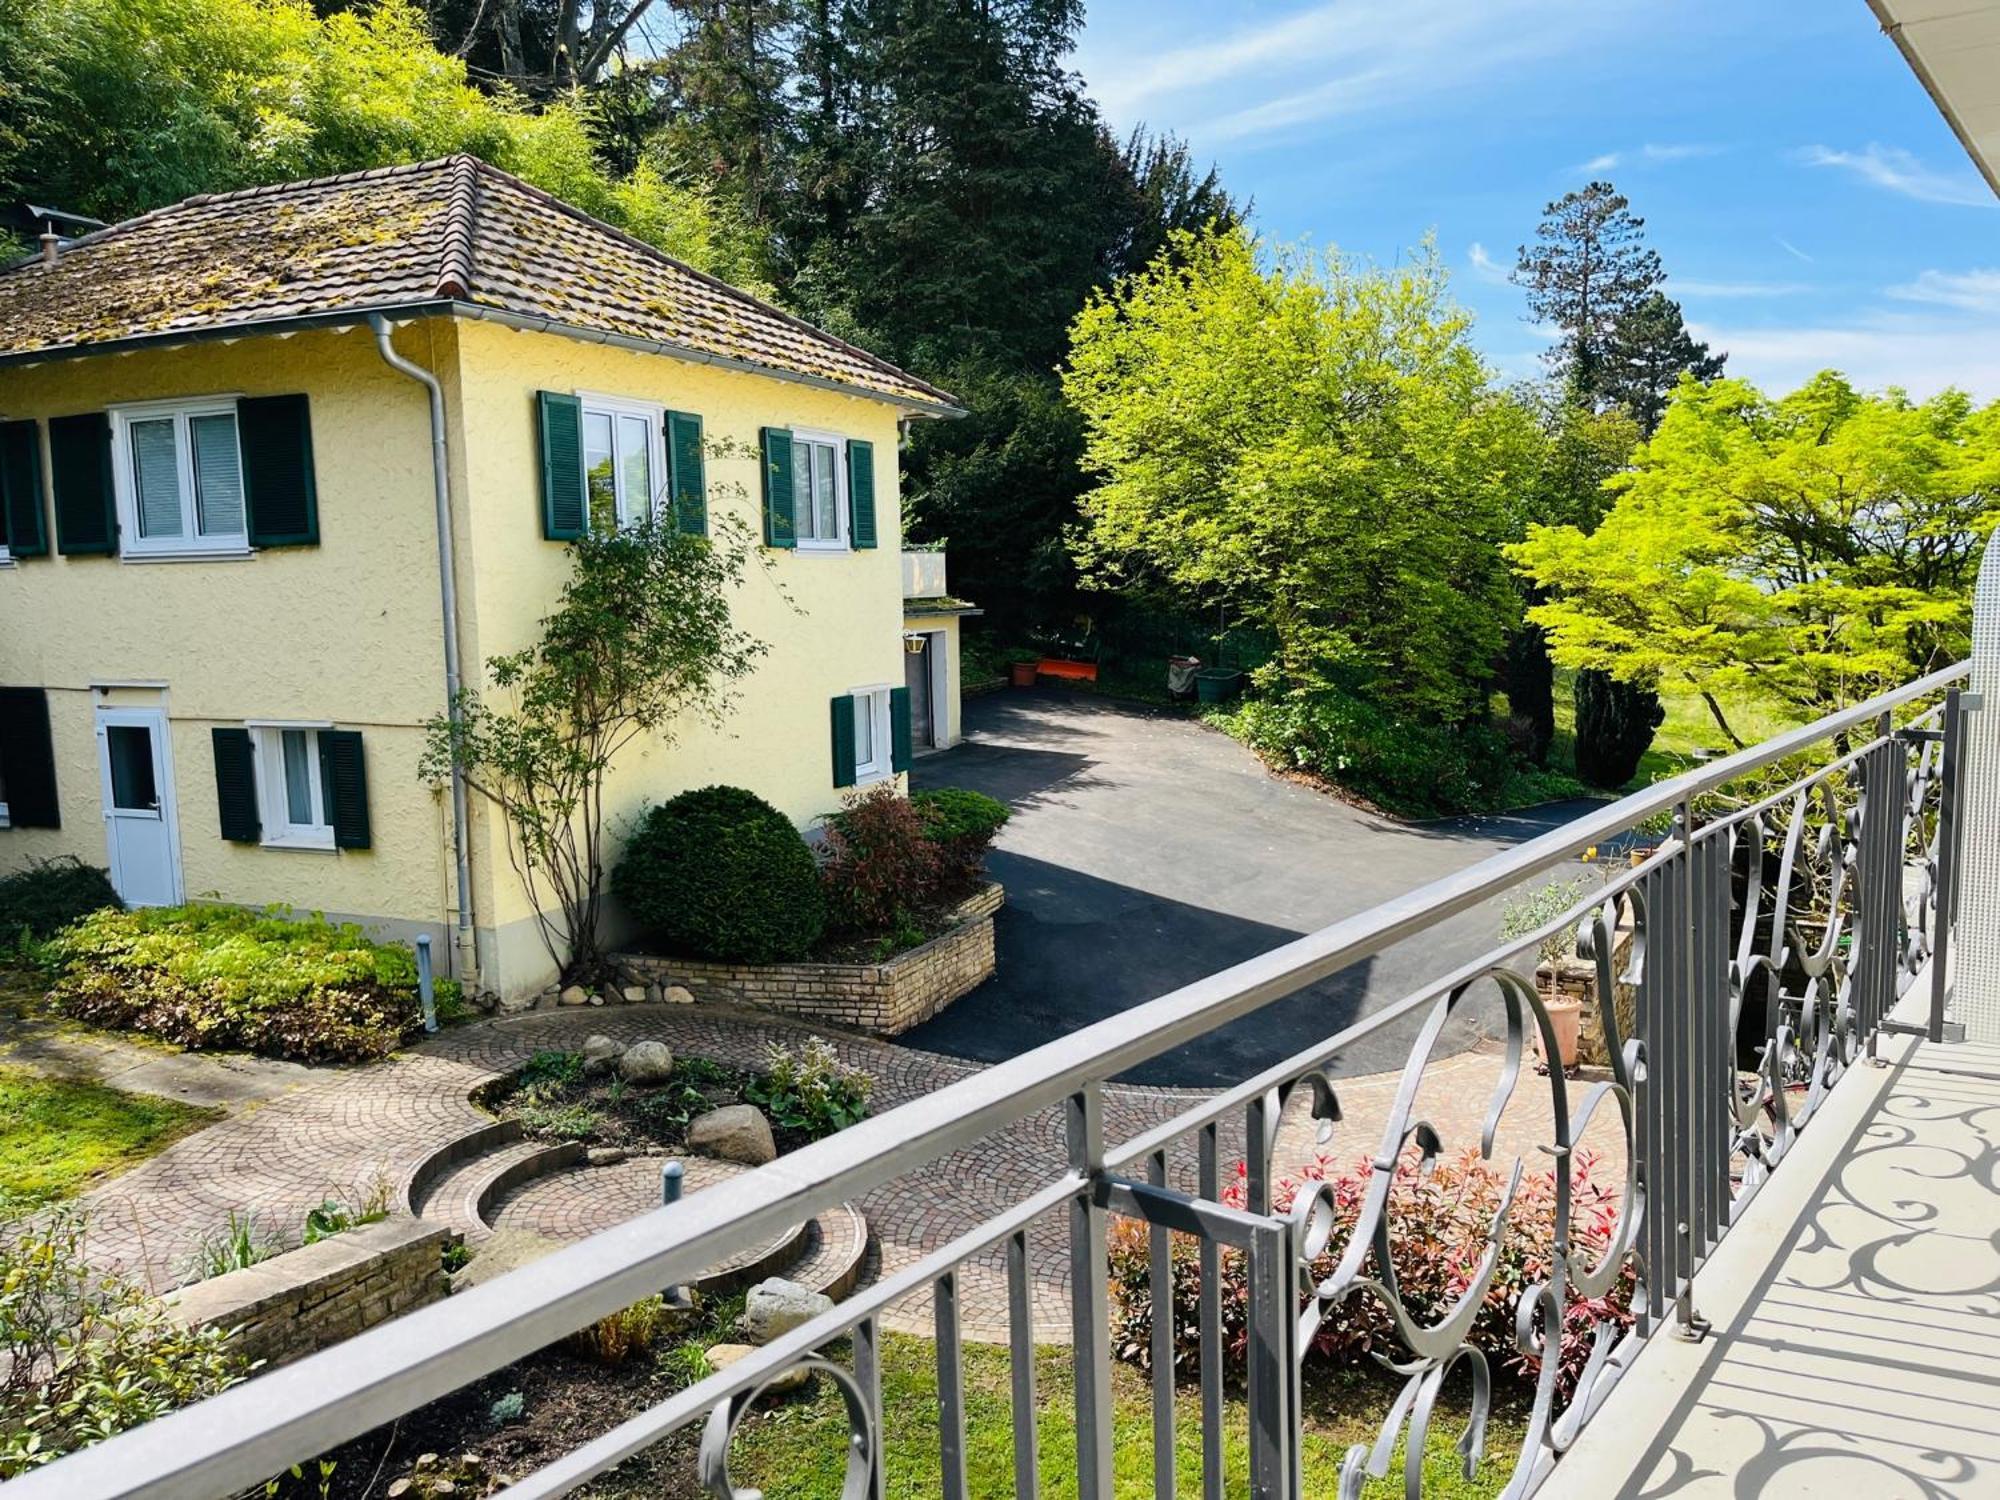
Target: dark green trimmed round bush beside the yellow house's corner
719	873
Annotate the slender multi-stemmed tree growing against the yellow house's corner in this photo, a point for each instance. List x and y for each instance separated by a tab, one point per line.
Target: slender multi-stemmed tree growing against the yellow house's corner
639	647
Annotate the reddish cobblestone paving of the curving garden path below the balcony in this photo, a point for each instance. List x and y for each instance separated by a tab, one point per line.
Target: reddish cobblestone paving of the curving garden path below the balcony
355	1129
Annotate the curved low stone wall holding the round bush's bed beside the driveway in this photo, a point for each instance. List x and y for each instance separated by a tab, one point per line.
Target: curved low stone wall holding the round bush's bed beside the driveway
885	999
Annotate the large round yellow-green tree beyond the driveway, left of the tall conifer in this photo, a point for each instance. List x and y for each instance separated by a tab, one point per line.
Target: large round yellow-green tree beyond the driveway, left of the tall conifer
1317	447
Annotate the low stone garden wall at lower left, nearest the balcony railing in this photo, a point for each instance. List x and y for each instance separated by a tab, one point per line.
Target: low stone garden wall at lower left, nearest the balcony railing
313	1297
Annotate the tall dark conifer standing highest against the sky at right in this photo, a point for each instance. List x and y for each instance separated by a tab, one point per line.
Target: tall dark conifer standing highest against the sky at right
1587	269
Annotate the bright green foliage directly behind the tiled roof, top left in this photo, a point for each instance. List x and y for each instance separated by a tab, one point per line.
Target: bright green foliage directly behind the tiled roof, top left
141	103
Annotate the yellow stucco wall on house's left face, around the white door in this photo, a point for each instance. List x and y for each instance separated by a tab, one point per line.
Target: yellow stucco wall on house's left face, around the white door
345	631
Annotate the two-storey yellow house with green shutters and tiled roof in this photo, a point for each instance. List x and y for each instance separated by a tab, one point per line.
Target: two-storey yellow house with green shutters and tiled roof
279	467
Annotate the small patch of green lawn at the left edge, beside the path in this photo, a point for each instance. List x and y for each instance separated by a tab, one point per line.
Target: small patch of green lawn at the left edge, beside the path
63	1135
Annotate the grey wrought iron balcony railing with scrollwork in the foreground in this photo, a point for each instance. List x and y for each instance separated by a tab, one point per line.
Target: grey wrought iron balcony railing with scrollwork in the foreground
1763	943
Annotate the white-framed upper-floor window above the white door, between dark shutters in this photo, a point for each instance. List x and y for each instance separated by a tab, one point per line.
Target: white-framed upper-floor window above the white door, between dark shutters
181	479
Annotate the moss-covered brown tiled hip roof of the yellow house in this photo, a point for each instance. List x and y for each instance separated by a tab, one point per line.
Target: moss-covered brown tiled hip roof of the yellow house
399	237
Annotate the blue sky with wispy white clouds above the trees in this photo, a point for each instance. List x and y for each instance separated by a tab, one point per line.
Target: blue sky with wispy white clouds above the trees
1809	201
